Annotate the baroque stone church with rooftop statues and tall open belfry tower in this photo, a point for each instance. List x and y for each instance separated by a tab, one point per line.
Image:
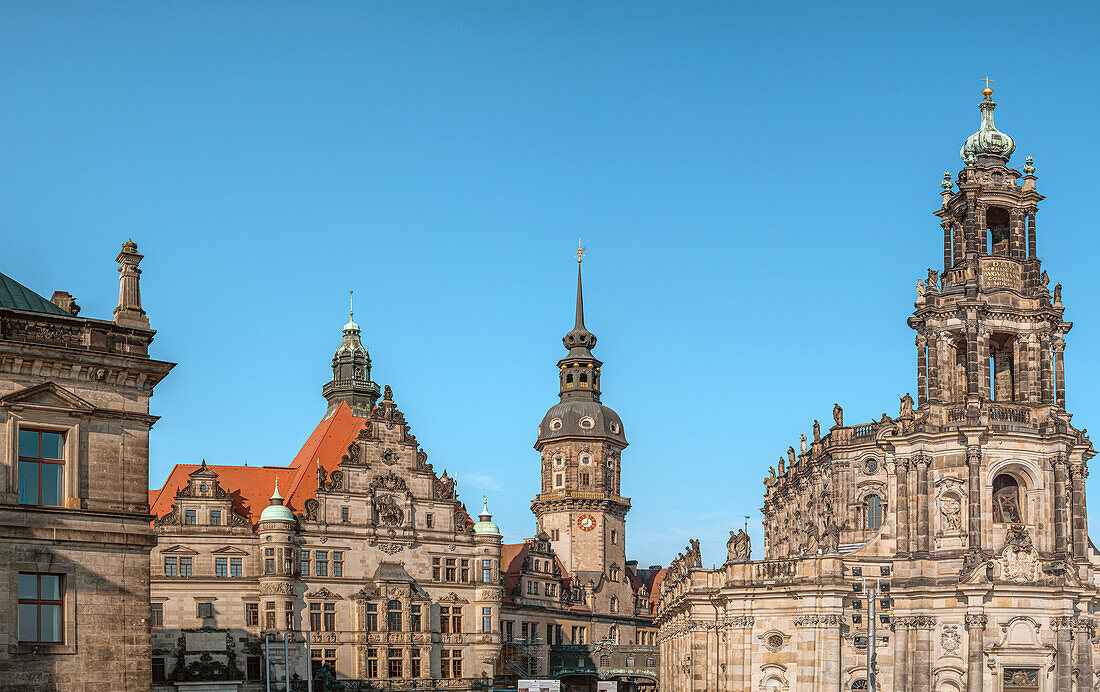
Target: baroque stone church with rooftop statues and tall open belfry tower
965	514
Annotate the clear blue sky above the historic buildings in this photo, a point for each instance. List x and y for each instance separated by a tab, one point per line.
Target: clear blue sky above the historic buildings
755	184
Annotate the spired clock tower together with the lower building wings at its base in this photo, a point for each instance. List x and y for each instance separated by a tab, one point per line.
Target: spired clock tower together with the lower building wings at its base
575	608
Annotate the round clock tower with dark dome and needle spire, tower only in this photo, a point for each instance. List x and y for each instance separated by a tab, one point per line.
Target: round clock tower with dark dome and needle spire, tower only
581	444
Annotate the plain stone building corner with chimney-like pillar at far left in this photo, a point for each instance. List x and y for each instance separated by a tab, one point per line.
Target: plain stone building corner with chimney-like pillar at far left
74	478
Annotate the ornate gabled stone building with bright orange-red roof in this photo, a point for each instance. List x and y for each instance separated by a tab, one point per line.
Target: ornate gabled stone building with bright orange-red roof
370	568
